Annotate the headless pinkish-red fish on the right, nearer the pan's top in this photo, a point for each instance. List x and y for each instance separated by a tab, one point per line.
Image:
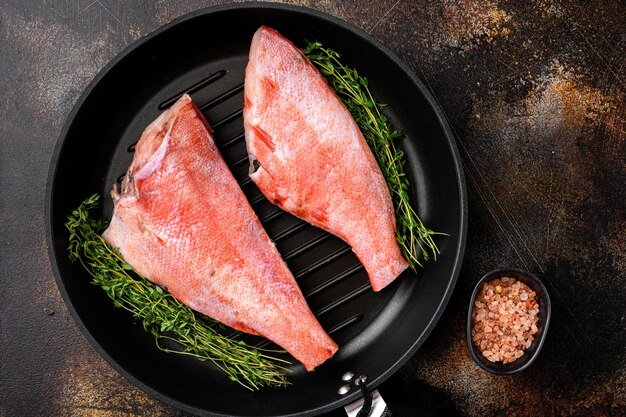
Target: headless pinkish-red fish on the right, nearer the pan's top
309	157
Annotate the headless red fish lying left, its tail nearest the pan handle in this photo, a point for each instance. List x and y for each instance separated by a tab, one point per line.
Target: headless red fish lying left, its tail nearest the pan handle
182	221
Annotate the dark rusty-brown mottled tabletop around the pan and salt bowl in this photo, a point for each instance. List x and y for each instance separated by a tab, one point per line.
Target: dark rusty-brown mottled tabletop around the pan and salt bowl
534	92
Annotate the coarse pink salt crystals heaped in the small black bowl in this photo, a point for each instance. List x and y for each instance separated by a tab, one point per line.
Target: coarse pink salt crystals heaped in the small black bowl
507	328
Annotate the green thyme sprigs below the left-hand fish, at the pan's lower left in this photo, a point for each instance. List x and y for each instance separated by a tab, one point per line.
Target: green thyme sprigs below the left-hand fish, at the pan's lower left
166	318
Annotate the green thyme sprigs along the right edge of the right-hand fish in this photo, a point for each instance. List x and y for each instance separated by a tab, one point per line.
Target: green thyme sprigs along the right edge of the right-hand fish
414	238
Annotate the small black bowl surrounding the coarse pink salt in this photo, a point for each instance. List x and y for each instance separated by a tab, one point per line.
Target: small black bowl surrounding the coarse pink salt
530	354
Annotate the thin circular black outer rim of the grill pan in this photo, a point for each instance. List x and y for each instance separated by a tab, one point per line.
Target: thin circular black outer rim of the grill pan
427	95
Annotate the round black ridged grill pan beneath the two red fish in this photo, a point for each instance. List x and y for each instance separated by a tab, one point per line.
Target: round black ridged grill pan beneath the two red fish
206	53
